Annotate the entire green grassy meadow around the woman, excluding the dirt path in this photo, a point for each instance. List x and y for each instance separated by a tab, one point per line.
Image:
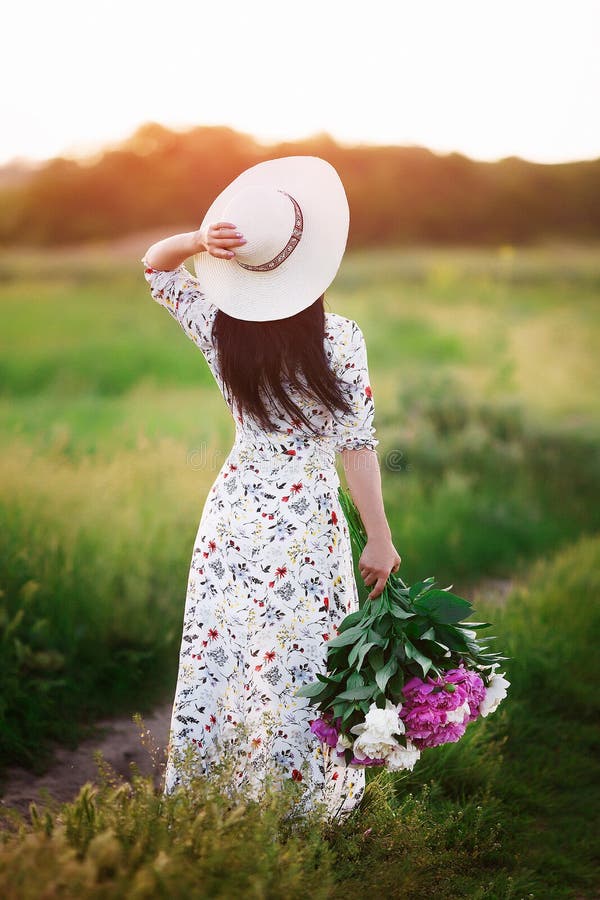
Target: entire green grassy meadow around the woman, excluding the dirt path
485	372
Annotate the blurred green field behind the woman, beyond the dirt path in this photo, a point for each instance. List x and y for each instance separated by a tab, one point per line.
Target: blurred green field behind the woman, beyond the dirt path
107	411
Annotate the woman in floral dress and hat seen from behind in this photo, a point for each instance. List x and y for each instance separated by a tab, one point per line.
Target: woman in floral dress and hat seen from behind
271	575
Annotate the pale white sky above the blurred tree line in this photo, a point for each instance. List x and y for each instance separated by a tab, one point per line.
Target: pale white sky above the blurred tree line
485	78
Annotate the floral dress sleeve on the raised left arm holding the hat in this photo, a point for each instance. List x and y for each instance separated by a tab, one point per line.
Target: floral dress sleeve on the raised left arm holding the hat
179	292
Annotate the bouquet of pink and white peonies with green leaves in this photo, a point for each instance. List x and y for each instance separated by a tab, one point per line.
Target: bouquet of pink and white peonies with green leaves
404	672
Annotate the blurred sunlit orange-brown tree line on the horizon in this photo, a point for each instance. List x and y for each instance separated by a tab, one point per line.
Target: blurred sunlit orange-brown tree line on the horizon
159	177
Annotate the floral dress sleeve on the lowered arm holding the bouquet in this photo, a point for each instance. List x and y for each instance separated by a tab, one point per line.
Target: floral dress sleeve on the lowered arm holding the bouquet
356	431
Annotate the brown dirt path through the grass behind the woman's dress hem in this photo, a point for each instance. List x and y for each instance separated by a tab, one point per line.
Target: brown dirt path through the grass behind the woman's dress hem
123	742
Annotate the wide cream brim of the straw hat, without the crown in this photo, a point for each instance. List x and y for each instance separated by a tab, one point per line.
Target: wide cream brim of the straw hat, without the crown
309	270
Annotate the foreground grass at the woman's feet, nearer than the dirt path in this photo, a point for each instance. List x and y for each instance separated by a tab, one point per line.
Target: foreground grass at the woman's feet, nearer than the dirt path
510	811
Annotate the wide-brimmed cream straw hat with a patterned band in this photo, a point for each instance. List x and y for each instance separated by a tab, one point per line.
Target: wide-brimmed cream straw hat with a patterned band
293	212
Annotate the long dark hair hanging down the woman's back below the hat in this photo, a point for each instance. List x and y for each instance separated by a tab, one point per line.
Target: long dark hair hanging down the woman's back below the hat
254	358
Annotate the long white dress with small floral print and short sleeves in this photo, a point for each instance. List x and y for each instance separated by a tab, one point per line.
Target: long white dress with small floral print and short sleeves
271	578
